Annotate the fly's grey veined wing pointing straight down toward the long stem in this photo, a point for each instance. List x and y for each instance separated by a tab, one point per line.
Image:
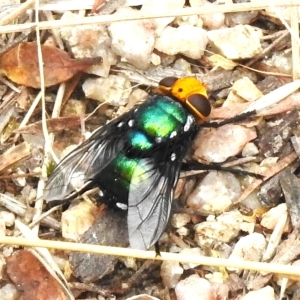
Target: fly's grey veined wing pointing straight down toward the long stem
149	202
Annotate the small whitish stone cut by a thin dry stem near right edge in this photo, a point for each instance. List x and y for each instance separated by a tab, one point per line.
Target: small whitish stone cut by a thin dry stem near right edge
270	218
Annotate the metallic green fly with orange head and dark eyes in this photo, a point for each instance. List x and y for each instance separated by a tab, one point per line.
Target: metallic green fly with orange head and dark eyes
136	159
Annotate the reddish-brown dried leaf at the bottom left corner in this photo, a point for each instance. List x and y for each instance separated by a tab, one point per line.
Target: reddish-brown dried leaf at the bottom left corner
32	278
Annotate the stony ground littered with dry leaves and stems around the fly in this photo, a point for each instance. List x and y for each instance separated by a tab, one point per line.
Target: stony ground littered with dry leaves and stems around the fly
101	59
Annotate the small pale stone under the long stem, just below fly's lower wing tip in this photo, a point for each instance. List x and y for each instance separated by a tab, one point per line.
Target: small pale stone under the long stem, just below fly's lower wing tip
170	273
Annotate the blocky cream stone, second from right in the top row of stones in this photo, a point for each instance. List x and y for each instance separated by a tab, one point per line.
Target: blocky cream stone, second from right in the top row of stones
186	39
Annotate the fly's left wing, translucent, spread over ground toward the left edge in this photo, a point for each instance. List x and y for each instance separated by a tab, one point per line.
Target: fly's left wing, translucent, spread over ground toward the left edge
78	169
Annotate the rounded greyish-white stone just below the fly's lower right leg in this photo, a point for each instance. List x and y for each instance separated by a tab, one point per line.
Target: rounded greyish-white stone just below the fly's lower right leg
215	193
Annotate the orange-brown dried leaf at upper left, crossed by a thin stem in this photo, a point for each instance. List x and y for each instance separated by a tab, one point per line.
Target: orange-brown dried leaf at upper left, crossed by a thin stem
20	64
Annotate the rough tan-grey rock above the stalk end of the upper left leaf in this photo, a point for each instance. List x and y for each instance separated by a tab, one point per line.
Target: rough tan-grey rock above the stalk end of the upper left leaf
89	41
